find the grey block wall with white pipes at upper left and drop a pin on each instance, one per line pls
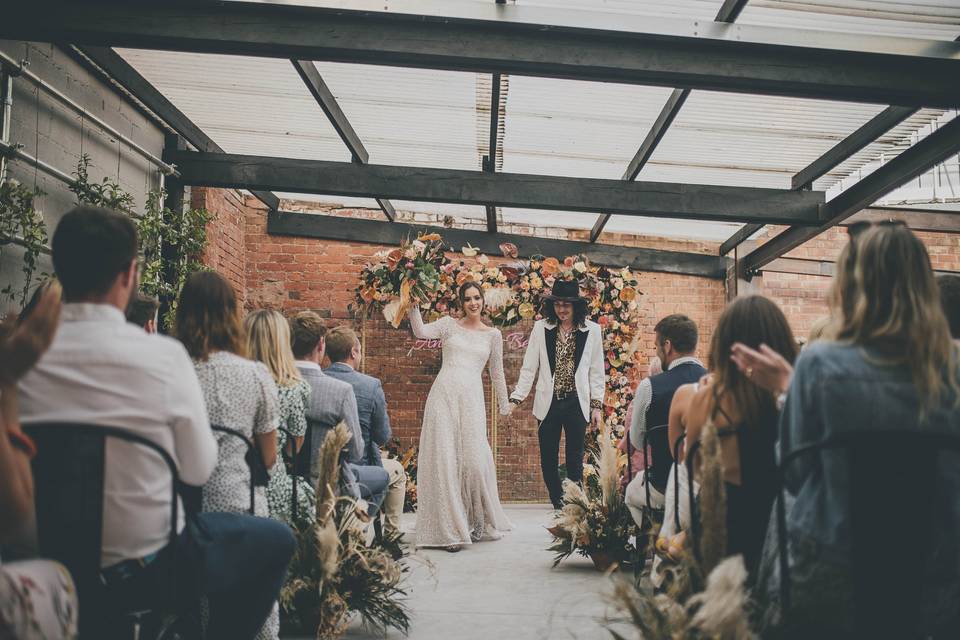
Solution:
(58, 135)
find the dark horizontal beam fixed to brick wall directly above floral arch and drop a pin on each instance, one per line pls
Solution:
(391, 234)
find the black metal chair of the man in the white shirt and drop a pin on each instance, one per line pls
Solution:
(68, 474)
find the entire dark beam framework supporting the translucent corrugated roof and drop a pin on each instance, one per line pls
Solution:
(500, 39)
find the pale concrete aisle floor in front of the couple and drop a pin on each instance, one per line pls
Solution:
(504, 589)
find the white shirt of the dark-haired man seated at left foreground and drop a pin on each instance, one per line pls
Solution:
(102, 370)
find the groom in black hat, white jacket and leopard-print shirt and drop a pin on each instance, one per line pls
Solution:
(567, 350)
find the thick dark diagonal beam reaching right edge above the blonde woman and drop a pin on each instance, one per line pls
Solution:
(912, 162)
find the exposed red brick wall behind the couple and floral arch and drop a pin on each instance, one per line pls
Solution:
(292, 274)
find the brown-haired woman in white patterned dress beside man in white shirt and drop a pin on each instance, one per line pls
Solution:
(239, 394)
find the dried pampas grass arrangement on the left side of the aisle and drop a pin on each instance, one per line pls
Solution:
(333, 573)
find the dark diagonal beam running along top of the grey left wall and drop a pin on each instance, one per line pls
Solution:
(141, 89)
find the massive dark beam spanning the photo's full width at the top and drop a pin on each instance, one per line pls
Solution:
(487, 38)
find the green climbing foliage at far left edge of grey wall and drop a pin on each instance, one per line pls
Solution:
(20, 222)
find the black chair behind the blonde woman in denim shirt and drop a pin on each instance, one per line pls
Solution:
(893, 480)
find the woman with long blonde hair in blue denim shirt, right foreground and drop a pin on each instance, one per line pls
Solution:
(891, 366)
